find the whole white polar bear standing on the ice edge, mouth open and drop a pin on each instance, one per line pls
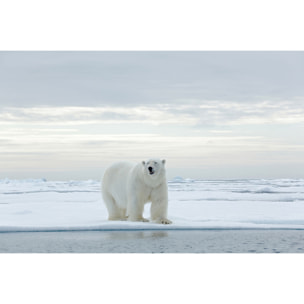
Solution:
(127, 187)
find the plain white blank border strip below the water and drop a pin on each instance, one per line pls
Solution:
(140, 278)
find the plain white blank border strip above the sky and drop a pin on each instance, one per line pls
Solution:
(151, 25)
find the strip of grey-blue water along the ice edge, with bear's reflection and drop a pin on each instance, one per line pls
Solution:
(206, 241)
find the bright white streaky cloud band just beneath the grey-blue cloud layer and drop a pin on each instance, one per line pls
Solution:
(198, 114)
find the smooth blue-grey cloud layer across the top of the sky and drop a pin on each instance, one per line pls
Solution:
(145, 78)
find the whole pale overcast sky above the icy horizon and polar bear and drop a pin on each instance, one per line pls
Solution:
(210, 114)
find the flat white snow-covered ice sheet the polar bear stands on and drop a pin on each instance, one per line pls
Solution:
(40, 205)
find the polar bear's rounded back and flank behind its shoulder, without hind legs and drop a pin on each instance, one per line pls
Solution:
(114, 182)
